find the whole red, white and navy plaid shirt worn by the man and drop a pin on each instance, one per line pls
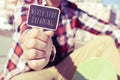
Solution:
(71, 18)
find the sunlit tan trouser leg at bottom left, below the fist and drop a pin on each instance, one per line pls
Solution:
(44, 74)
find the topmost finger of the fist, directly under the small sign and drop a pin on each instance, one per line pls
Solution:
(36, 33)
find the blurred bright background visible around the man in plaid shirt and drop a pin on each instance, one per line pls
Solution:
(107, 10)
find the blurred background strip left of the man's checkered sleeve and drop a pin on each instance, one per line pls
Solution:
(6, 28)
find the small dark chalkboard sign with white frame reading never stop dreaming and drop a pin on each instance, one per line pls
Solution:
(45, 17)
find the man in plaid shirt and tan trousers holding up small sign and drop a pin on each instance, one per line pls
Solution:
(33, 47)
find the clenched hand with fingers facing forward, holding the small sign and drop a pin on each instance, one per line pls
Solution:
(37, 46)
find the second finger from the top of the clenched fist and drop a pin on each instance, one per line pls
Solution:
(34, 44)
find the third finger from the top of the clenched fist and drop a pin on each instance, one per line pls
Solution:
(33, 54)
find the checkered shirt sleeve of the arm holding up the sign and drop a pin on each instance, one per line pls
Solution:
(15, 64)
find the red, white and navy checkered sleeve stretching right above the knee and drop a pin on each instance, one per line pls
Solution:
(96, 26)
